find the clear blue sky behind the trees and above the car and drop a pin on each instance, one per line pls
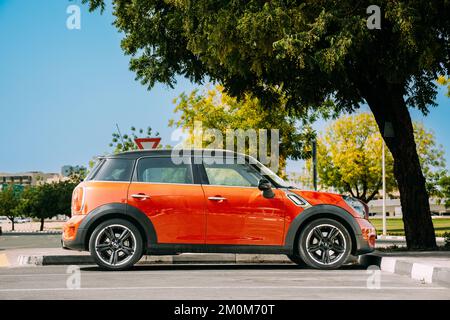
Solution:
(63, 91)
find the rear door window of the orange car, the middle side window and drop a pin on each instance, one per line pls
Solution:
(163, 170)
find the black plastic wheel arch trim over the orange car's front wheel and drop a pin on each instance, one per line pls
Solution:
(318, 212)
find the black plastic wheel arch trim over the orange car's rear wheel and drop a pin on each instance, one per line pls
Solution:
(121, 211)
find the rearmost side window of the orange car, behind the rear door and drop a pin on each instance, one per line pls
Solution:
(115, 170)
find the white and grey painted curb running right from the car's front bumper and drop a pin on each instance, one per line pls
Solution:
(415, 270)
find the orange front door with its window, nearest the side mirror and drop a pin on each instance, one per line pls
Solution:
(237, 212)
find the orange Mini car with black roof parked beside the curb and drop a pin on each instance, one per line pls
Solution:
(149, 203)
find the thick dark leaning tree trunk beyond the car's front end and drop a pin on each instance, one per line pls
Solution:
(394, 122)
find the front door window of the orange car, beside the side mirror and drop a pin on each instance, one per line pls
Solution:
(239, 175)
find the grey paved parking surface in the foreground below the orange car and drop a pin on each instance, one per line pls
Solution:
(211, 282)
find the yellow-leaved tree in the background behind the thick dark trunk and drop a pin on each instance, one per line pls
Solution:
(349, 157)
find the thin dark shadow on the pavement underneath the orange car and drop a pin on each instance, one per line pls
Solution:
(178, 267)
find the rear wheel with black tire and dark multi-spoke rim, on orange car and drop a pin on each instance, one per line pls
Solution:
(119, 237)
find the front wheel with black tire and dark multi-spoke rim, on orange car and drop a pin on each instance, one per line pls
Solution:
(324, 244)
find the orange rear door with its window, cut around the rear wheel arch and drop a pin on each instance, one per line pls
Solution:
(166, 193)
